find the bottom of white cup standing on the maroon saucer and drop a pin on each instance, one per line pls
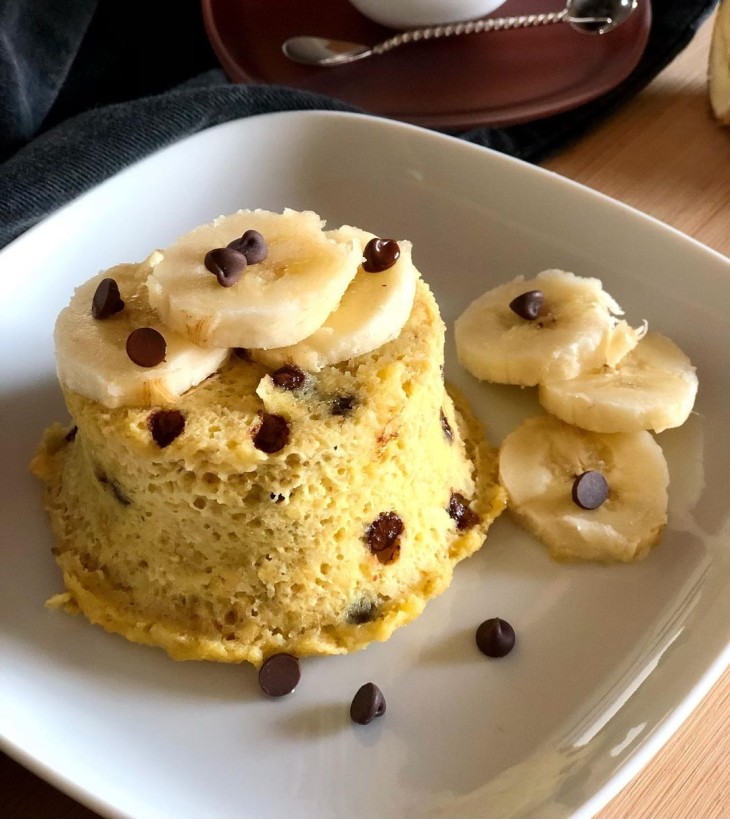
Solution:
(417, 13)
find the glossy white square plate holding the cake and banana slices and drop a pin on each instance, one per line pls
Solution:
(609, 659)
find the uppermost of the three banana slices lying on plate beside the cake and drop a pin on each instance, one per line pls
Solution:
(575, 331)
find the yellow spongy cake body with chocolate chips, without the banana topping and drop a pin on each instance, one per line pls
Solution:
(213, 549)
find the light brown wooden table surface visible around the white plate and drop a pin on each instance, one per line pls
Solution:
(664, 154)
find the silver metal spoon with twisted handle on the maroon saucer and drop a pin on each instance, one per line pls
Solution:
(587, 16)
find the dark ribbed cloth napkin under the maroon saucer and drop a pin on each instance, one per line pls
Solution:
(90, 86)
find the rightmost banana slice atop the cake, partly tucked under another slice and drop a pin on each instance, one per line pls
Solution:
(372, 312)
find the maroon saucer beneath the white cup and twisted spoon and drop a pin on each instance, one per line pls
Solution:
(495, 78)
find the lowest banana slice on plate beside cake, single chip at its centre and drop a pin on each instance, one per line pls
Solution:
(539, 464)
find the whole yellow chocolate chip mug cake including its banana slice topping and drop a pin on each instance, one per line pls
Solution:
(263, 456)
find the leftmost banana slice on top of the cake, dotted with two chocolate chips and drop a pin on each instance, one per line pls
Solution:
(91, 353)
